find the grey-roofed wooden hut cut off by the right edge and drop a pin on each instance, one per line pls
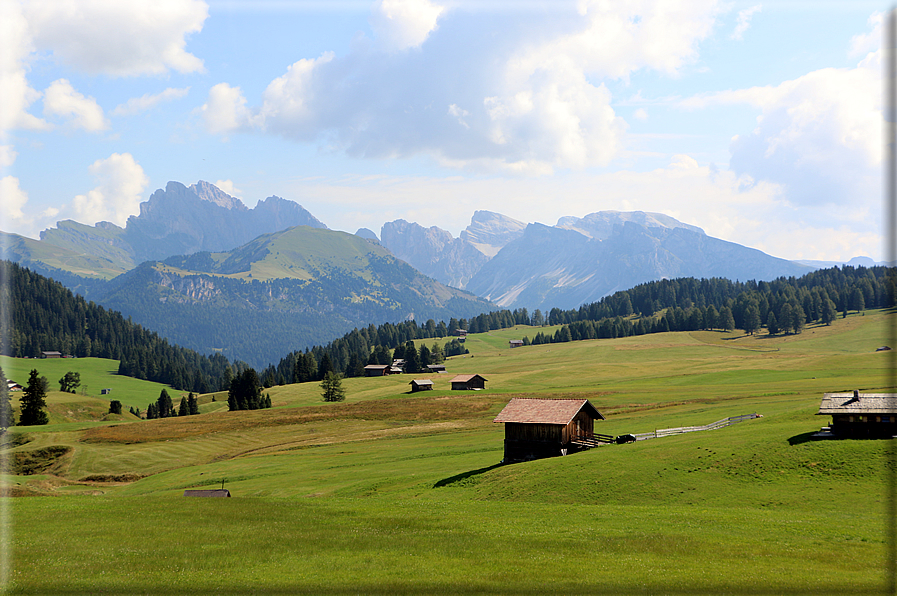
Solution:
(861, 415)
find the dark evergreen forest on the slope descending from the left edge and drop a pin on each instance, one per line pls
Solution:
(39, 314)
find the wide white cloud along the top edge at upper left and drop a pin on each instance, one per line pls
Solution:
(137, 37)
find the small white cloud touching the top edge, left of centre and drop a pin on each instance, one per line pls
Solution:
(404, 24)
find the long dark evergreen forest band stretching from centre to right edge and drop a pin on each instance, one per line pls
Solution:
(785, 305)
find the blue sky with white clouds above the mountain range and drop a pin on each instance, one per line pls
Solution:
(759, 122)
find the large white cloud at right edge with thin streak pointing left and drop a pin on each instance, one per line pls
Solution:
(818, 135)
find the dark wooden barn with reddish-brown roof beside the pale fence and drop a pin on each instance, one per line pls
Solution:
(536, 428)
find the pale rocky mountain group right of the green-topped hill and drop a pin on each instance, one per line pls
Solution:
(576, 261)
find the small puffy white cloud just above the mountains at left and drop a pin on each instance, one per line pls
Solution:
(120, 186)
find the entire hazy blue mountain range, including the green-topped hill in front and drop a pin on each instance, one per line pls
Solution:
(207, 272)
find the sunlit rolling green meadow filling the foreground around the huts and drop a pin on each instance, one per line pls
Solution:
(391, 492)
